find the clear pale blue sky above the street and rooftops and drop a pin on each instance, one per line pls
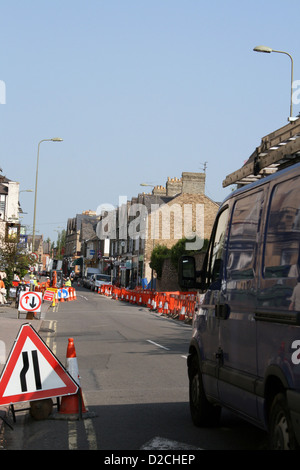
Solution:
(139, 90)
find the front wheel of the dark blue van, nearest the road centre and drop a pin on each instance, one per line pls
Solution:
(202, 412)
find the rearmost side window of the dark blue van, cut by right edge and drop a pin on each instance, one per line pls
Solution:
(281, 251)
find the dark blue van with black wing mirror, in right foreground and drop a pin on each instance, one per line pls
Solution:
(244, 351)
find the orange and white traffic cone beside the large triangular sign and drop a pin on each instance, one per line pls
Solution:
(72, 404)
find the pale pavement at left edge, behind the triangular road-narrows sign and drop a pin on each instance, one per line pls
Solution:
(10, 325)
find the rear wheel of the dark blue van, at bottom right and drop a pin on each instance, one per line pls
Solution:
(281, 433)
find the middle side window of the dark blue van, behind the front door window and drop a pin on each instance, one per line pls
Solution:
(242, 244)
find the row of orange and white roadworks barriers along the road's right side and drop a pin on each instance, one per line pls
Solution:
(174, 304)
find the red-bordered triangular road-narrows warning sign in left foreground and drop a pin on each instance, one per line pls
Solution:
(32, 372)
